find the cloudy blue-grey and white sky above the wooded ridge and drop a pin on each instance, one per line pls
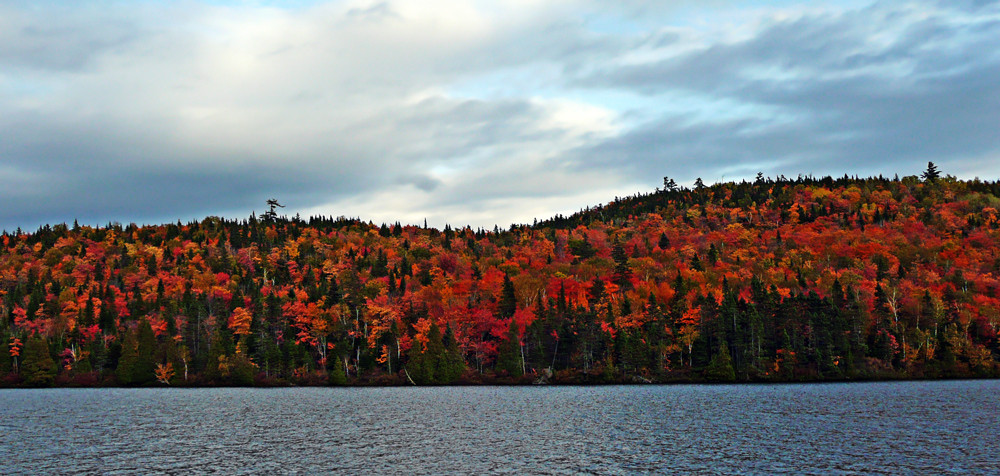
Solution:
(473, 112)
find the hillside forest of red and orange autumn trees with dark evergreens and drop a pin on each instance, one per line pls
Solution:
(770, 280)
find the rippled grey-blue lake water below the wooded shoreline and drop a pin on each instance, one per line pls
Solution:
(887, 427)
